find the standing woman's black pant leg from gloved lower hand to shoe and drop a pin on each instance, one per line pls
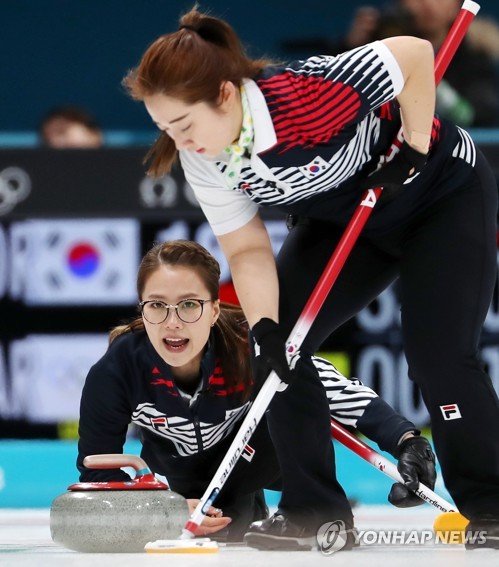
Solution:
(299, 424)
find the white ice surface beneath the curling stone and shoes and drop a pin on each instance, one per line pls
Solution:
(25, 542)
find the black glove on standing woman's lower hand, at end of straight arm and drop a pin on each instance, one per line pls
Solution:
(272, 352)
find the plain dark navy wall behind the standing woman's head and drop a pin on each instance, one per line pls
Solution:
(78, 50)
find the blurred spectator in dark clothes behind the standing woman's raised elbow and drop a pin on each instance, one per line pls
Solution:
(469, 92)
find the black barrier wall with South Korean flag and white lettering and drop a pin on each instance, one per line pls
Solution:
(73, 227)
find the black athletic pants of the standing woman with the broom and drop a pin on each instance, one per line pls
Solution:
(445, 259)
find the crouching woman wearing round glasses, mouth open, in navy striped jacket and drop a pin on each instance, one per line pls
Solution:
(181, 373)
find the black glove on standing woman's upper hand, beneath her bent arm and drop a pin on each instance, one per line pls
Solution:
(392, 176)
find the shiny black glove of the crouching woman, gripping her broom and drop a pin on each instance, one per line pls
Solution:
(416, 464)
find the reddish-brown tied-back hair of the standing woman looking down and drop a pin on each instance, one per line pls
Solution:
(191, 65)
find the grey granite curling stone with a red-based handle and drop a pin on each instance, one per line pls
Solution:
(117, 517)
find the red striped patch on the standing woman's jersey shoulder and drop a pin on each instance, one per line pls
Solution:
(308, 110)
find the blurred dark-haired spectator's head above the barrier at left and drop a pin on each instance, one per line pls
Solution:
(70, 127)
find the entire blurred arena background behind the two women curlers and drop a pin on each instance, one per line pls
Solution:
(77, 211)
